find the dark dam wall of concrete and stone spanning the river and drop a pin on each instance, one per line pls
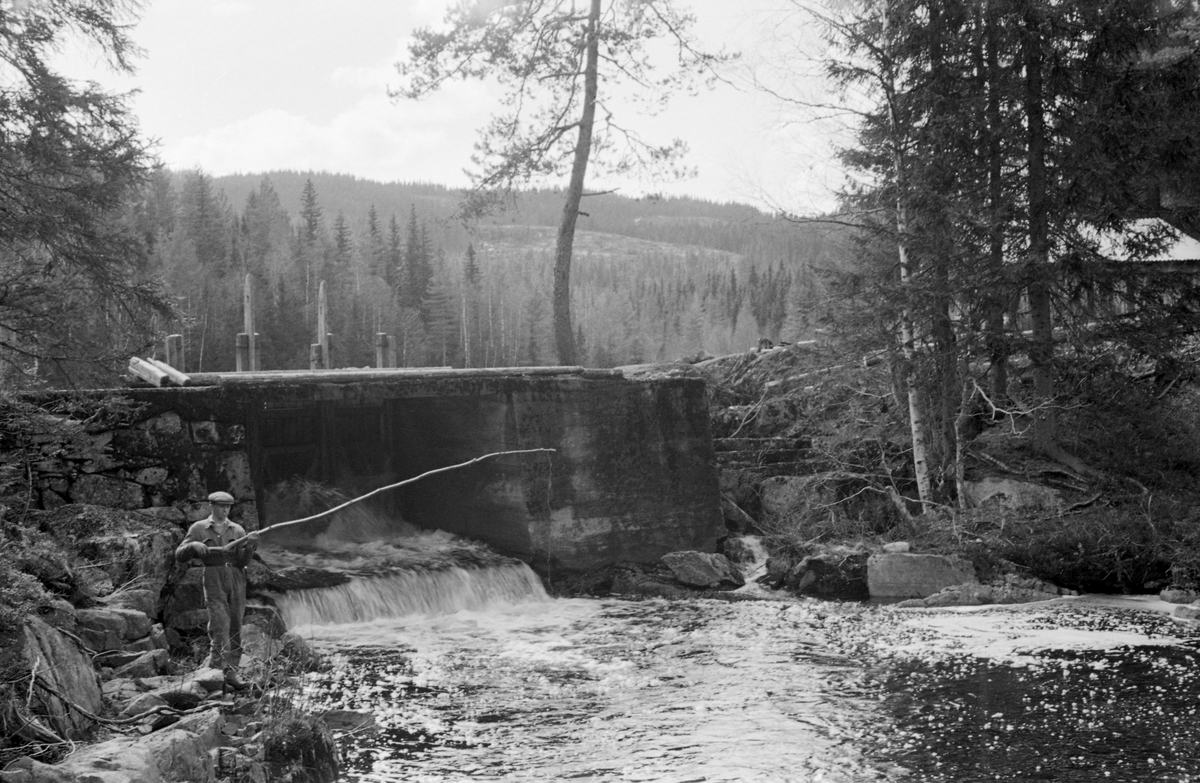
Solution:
(632, 476)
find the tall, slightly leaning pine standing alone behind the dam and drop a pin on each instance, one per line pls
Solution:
(561, 64)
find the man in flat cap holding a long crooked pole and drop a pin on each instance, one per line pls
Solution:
(225, 581)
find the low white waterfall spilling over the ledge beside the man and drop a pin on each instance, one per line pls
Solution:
(412, 593)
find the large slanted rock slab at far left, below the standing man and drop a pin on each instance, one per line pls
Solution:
(59, 664)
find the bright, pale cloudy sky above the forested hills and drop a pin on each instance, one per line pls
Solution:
(249, 86)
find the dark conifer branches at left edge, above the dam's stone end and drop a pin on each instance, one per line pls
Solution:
(75, 290)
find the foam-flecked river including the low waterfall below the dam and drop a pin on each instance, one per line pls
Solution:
(478, 676)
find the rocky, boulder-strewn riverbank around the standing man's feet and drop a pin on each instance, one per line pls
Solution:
(105, 677)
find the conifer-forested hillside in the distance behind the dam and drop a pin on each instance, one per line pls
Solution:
(655, 279)
